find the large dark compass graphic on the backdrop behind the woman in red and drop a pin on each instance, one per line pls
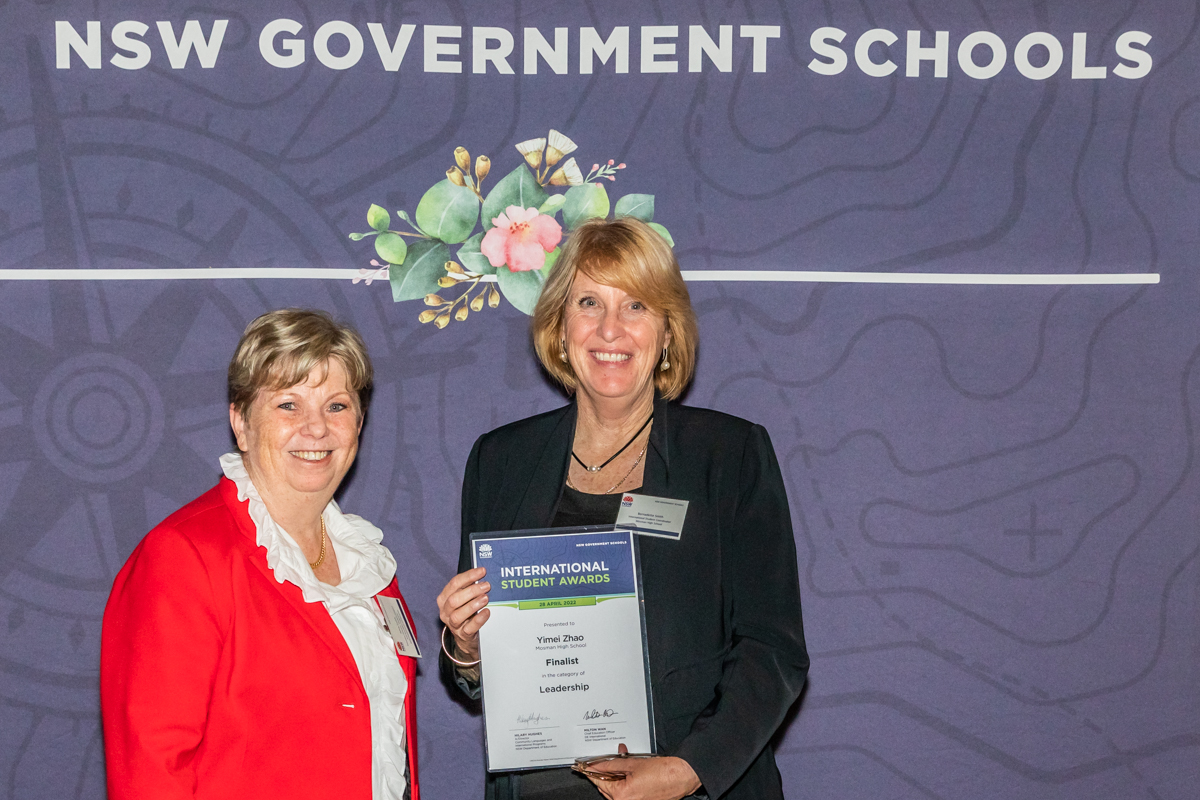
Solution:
(115, 408)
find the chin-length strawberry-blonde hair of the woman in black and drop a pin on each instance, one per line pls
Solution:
(629, 255)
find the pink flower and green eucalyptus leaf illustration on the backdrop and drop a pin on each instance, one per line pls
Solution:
(520, 239)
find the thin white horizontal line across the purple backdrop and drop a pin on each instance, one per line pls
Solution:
(796, 276)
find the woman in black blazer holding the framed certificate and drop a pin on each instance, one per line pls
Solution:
(723, 607)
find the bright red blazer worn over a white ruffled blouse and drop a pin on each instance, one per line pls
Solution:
(219, 682)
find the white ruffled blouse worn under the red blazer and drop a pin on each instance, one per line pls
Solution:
(368, 568)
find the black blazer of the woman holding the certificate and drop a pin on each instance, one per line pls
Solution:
(723, 604)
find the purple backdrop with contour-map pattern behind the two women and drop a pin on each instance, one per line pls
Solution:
(993, 488)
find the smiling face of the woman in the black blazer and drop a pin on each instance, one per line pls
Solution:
(614, 341)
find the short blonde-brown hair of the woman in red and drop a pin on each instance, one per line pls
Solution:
(280, 348)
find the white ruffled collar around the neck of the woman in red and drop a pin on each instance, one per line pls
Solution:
(367, 566)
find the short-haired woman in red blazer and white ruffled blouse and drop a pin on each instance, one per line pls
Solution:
(245, 648)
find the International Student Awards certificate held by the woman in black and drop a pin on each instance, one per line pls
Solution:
(565, 664)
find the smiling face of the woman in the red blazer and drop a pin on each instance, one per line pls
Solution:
(301, 441)
